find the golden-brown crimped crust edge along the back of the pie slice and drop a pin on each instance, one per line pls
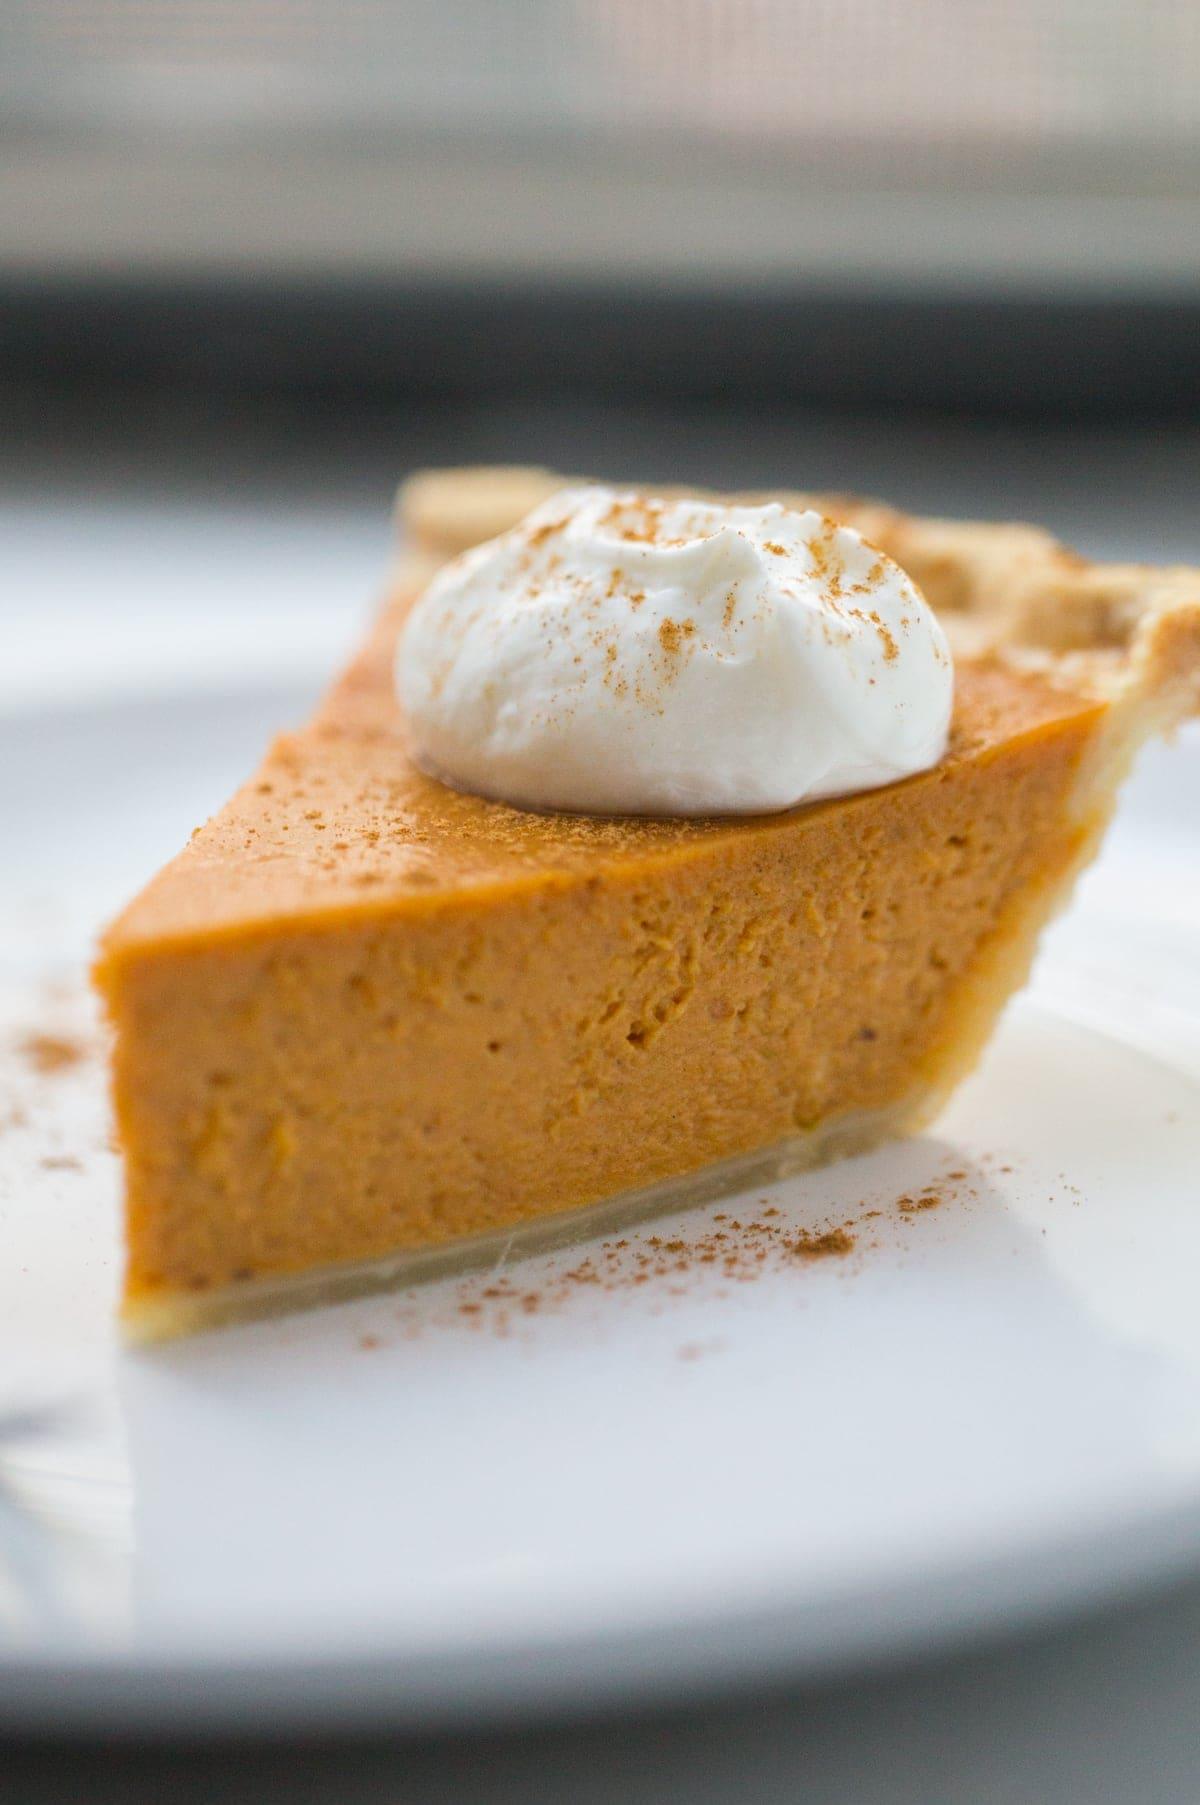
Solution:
(1127, 633)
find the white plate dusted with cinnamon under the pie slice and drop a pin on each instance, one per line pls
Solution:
(409, 1512)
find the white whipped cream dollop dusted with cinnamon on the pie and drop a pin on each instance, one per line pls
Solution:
(618, 654)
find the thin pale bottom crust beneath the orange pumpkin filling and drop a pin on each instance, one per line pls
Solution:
(163, 1319)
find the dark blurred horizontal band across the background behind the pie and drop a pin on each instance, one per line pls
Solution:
(1038, 358)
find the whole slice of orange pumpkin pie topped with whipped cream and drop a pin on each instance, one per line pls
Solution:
(371, 1017)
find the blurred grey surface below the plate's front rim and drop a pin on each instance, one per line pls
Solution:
(1102, 1714)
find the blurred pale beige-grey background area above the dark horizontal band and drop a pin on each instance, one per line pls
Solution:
(705, 140)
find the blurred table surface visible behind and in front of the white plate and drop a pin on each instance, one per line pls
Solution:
(140, 546)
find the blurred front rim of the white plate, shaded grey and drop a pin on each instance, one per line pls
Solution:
(542, 1680)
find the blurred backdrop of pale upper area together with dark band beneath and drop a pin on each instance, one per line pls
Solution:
(941, 203)
